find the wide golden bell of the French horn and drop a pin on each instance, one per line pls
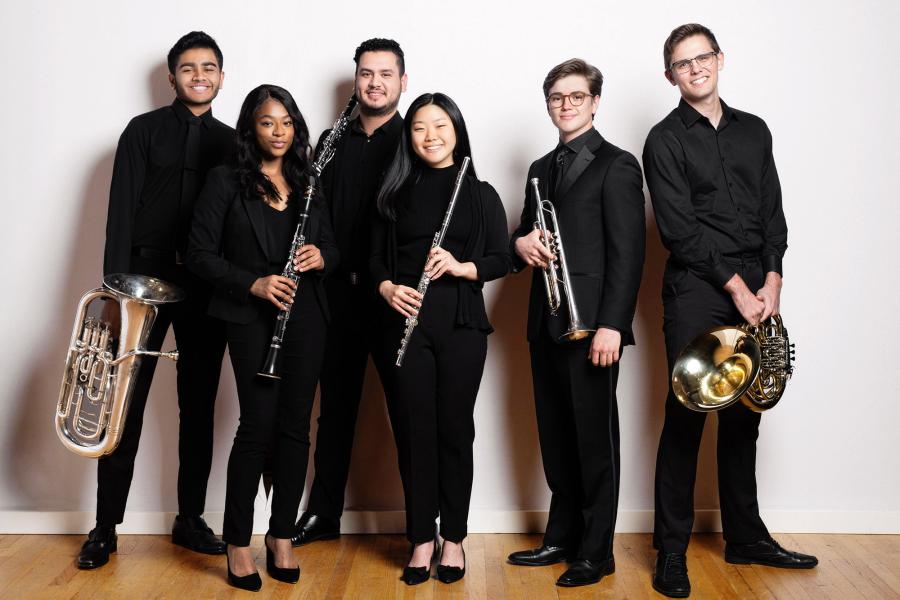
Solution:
(716, 369)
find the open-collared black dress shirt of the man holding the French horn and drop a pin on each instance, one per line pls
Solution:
(715, 191)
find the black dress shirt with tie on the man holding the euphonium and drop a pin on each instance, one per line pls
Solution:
(160, 167)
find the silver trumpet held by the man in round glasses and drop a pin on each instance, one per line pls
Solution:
(557, 280)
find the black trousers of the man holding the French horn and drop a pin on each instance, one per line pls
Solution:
(691, 306)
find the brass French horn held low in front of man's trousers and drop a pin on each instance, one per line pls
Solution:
(726, 364)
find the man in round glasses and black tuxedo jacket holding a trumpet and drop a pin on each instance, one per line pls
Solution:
(596, 189)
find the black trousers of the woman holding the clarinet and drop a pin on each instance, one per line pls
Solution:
(274, 415)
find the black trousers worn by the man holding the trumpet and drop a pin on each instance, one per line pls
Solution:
(578, 429)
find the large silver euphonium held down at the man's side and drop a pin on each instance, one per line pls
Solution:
(103, 363)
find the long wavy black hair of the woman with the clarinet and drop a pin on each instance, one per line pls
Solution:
(248, 158)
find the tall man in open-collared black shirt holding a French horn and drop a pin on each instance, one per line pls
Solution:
(717, 201)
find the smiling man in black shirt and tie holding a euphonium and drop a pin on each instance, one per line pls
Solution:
(160, 166)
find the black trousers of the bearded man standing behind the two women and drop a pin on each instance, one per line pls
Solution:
(350, 339)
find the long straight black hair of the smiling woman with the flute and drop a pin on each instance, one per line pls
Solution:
(406, 167)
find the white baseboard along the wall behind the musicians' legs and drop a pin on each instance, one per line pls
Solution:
(480, 521)
